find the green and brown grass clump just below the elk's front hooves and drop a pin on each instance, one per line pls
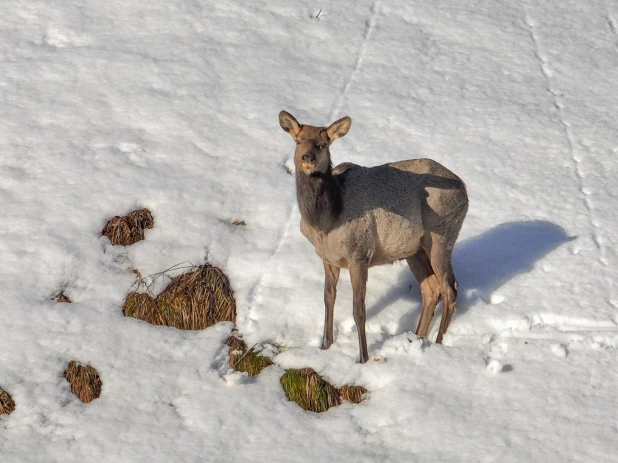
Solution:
(312, 392)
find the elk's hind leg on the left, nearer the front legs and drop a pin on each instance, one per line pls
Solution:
(430, 289)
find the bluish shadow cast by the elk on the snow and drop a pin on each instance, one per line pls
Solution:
(482, 264)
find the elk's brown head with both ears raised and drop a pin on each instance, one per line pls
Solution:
(312, 156)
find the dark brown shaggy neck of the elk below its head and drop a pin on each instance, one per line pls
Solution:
(319, 199)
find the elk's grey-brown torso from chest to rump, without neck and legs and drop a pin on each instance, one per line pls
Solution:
(388, 209)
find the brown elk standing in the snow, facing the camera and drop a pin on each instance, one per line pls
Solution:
(357, 217)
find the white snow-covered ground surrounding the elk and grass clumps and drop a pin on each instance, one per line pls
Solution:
(173, 105)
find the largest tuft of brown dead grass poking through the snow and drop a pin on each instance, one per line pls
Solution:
(194, 300)
